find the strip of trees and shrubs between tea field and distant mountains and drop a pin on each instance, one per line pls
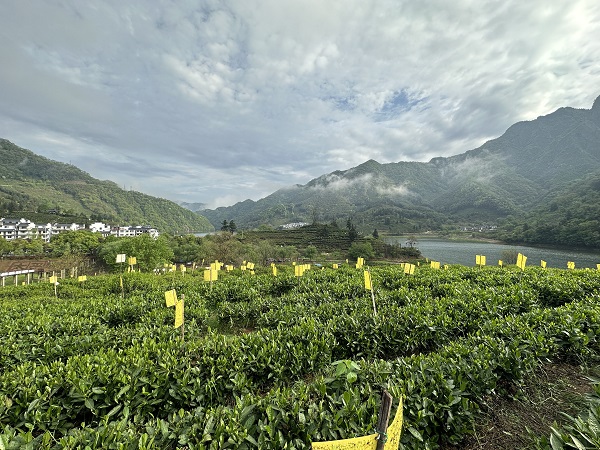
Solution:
(309, 243)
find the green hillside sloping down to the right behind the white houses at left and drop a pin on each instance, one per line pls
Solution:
(31, 185)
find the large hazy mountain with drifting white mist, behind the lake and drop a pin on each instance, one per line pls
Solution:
(524, 169)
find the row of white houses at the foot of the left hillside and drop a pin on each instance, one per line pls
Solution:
(25, 229)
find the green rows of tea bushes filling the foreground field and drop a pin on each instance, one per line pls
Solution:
(278, 362)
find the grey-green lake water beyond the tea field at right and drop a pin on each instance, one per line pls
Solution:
(454, 252)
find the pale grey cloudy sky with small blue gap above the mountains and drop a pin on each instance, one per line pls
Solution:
(220, 101)
